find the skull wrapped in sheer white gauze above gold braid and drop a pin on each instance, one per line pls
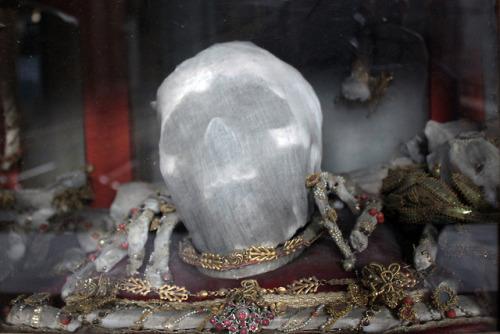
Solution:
(240, 132)
